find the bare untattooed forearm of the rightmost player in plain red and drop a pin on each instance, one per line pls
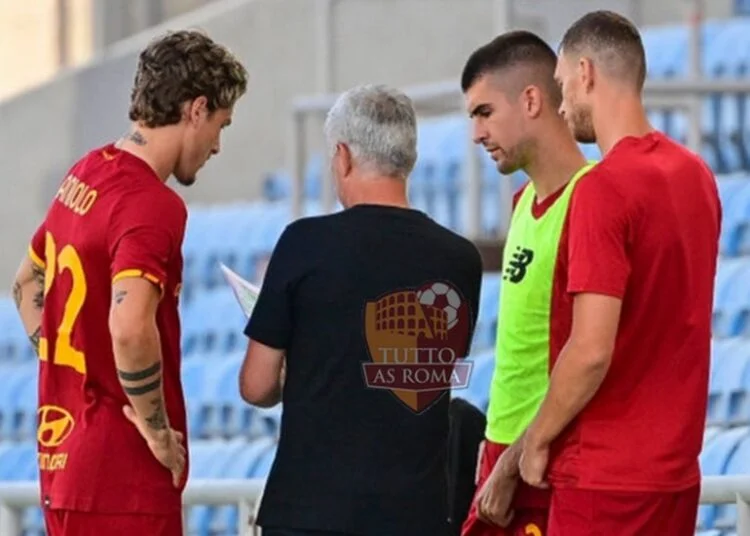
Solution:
(575, 379)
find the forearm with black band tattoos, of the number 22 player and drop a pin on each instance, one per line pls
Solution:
(139, 363)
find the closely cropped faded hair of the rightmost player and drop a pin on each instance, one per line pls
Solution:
(614, 39)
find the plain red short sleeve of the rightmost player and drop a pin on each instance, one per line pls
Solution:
(598, 238)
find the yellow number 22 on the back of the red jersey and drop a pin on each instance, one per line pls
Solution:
(57, 263)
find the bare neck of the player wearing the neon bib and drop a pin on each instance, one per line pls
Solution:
(552, 167)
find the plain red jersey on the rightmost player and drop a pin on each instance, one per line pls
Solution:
(643, 226)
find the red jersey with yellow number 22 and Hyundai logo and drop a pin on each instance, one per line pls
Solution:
(112, 217)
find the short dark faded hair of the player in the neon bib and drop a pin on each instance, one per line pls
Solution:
(519, 48)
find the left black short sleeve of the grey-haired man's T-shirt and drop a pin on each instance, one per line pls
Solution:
(271, 319)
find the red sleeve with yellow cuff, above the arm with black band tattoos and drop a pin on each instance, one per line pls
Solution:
(145, 232)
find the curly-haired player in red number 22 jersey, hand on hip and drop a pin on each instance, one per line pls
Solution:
(98, 292)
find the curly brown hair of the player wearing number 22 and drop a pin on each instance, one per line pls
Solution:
(182, 66)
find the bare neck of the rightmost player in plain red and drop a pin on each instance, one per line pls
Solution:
(623, 116)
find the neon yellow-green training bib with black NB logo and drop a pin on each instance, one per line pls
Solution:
(521, 375)
